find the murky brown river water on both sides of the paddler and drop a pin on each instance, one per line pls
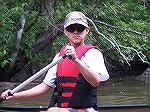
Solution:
(118, 90)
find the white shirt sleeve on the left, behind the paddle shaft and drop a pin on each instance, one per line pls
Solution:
(51, 74)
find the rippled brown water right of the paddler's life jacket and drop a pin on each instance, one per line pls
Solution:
(124, 90)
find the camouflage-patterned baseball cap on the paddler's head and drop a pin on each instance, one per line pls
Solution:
(75, 17)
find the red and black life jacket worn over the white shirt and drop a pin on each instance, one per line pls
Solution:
(73, 90)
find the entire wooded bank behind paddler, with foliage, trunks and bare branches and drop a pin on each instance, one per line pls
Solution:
(32, 33)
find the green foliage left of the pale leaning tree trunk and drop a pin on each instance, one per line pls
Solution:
(9, 18)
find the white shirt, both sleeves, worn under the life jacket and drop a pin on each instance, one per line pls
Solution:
(93, 59)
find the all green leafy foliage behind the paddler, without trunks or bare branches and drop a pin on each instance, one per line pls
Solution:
(118, 20)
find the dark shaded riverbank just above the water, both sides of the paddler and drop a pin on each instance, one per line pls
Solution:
(114, 68)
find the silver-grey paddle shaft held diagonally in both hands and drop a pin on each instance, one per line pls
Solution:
(36, 75)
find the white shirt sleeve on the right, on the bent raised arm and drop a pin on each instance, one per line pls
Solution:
(93, 59)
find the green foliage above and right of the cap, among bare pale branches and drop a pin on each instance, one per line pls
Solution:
(129, 19)
